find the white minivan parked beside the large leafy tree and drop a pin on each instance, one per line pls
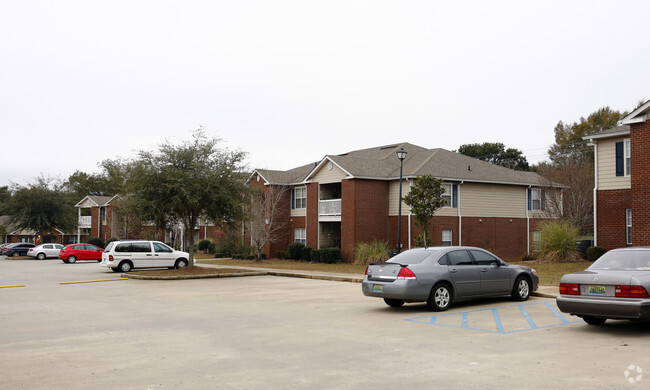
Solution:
(123, 256)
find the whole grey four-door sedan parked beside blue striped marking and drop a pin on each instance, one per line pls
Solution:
(441, 275)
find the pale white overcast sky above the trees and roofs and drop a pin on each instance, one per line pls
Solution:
(292, 81)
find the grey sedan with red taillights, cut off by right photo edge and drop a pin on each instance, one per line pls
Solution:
(615, 286)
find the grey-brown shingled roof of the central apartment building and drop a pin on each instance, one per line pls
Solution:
(381, 163)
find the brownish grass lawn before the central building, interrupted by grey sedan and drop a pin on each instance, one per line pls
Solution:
(549, 273)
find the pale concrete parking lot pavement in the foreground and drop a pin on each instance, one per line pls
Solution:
(268, 332)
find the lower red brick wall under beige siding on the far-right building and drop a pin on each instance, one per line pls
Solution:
(611, 207)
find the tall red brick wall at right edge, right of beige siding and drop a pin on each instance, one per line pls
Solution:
(640, 197)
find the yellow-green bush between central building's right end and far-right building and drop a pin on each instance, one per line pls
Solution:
(558, 242)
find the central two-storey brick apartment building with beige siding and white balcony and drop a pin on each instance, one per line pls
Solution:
(345, 199)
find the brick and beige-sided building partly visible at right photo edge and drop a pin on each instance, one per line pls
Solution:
(622, 185)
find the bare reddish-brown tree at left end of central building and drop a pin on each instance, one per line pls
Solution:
(268, 216)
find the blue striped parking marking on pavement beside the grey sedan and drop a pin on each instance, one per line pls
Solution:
(503, 320)
